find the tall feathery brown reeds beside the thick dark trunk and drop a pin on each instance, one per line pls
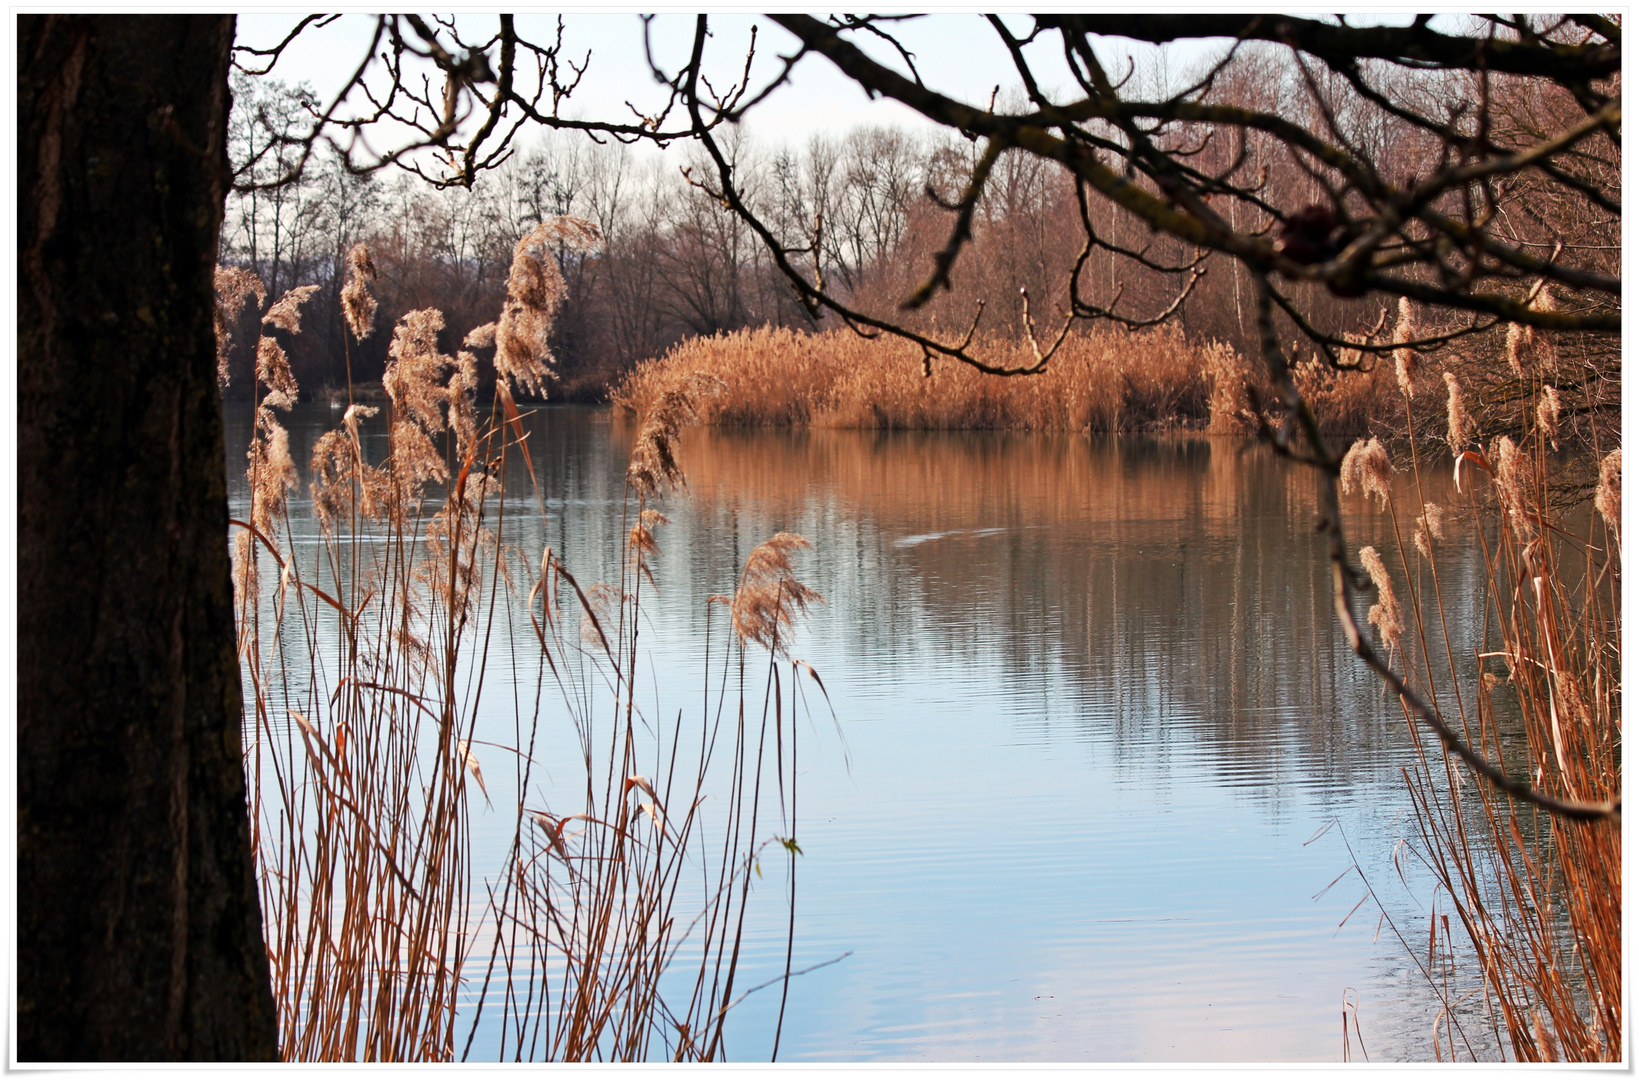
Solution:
(614, 925)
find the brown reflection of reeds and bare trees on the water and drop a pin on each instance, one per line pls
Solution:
(1171, 588)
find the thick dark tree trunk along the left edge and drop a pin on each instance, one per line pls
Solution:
(138, 925)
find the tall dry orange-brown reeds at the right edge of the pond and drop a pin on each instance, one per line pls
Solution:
(1525, 930)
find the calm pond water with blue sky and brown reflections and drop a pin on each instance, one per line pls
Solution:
(1091, 706)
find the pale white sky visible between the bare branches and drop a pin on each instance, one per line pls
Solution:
(958, 55)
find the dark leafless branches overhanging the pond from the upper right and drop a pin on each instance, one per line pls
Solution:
(1433, 163)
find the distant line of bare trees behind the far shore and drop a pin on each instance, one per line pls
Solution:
(678, 266)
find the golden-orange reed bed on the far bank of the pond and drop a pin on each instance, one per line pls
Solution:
(1101, 381)
